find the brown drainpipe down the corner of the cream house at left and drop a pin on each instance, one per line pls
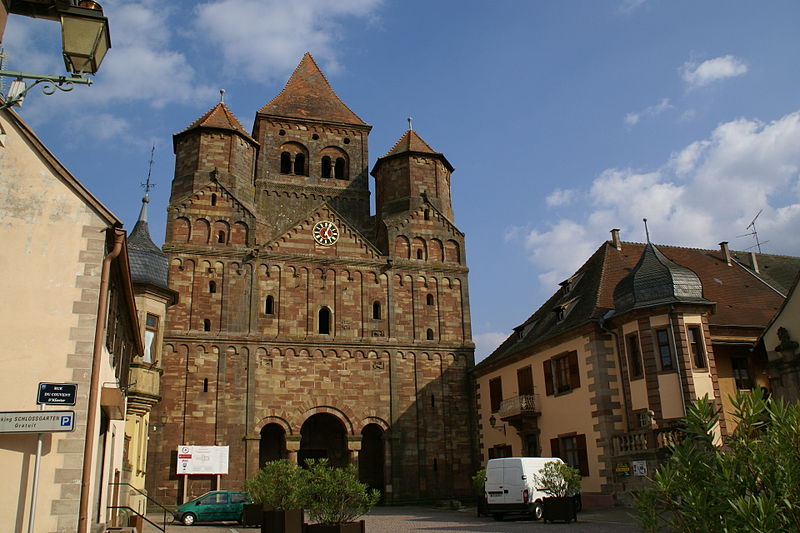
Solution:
(97, 353)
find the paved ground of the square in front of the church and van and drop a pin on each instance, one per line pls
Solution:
(429, 520)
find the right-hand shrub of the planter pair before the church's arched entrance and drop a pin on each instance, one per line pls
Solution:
(335, 498)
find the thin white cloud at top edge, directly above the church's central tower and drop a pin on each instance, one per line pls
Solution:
(264, 39)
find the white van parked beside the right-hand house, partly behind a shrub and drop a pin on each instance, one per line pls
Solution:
(511, 488)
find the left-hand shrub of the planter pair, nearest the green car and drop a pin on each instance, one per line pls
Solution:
(277, 491)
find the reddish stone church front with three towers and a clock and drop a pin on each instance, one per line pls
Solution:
(307, 327)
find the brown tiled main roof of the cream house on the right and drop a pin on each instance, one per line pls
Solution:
(742, 297)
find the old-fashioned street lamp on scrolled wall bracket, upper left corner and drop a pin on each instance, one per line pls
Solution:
(85, 41)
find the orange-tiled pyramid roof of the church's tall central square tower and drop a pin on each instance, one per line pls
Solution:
(308, 95)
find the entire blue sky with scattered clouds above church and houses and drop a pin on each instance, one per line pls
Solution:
(563, 118)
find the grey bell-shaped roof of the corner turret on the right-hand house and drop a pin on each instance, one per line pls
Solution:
(656, 280)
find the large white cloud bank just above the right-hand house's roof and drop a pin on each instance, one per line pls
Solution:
(705, 193)
